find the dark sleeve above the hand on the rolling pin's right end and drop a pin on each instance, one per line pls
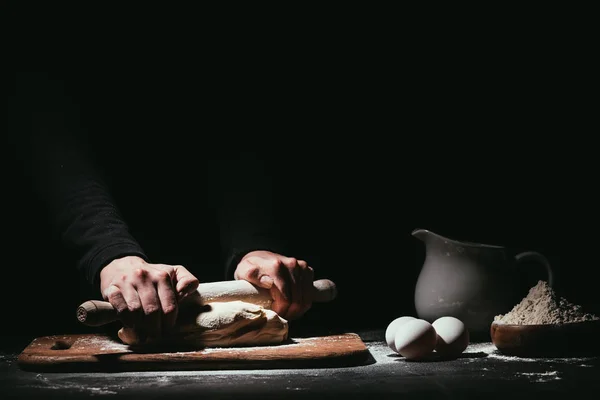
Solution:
(245, 195)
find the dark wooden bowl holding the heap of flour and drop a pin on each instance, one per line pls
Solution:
(580, 339)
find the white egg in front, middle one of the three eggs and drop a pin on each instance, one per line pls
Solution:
(415, 339)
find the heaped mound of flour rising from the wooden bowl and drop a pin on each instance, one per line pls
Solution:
(543, 306)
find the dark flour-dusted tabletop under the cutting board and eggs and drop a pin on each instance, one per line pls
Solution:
(480, 373)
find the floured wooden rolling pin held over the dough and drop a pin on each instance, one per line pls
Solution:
(97, 312)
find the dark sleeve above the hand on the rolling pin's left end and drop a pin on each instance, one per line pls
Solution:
(52, 148)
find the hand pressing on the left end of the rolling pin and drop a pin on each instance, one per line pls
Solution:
(146, 296)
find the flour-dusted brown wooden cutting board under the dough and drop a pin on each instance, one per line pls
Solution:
(100, 352)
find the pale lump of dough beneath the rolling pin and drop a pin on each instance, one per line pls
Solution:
(224, 324)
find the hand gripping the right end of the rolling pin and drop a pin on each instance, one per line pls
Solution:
(289, 280)
